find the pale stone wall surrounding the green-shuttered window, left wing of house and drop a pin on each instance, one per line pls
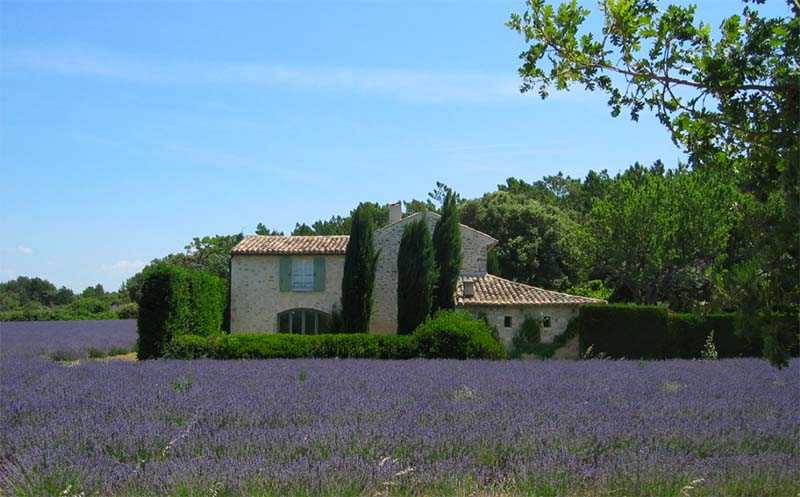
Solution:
(256, 298)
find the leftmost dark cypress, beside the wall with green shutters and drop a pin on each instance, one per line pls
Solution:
(358, 280)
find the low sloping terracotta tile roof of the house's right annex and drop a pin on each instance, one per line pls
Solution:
(493, 290)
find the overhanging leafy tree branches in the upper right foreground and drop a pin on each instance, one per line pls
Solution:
(730, 99)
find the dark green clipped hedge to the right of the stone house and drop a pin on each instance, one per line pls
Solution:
(651, 332)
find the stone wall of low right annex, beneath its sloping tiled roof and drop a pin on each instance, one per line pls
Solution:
(560, 316)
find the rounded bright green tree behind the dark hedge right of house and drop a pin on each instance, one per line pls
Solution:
(656, 237)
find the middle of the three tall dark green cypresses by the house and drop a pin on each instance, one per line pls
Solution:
(415, 276)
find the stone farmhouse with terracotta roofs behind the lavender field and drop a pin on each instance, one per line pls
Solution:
(293, 283)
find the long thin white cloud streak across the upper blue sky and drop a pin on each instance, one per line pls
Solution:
(391, 82)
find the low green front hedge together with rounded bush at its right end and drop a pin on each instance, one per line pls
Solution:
(449, 334)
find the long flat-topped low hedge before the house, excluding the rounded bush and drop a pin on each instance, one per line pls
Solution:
(289, 346)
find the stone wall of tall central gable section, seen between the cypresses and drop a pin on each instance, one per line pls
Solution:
(474, 250)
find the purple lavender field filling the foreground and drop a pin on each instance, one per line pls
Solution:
(358, 427)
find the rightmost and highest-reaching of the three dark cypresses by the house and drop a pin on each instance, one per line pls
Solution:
(447, 252)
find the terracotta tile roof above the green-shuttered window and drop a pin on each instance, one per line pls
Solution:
(286, 245)
